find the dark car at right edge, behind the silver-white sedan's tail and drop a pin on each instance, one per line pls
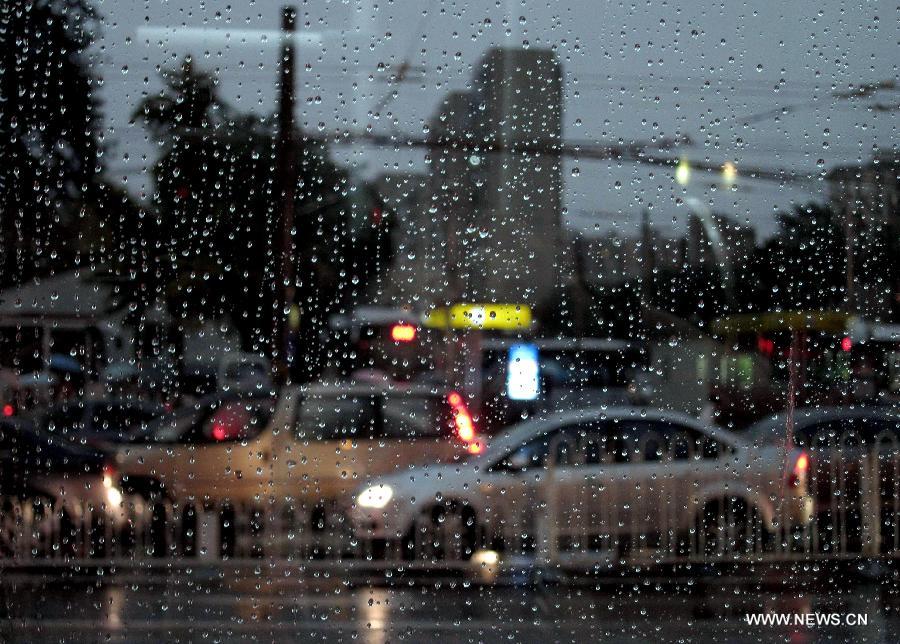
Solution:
(852, 469)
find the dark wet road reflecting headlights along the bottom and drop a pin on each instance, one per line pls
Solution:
(267, 606)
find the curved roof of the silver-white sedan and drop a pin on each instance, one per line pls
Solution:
(532, 428)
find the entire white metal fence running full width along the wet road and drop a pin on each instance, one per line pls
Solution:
(588, 518)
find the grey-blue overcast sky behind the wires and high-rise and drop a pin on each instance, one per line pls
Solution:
(633, 71)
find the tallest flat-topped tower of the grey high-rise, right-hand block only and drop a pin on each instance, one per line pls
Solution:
(517, 109)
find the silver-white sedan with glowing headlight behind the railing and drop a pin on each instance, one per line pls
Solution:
(614, 479)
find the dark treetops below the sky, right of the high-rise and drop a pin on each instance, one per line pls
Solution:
(803, 266)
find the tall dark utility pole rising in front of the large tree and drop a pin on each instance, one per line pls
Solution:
(287, 186)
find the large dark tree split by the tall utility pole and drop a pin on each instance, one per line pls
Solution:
(214, 244)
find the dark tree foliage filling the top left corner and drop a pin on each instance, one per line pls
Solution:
(49, 122)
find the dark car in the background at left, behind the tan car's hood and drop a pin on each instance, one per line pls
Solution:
(98, 421)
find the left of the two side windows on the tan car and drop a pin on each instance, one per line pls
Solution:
(338, 417)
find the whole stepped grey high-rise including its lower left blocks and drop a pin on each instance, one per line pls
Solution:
(488, 219)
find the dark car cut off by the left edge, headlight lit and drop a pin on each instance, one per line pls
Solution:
(53, 494)
